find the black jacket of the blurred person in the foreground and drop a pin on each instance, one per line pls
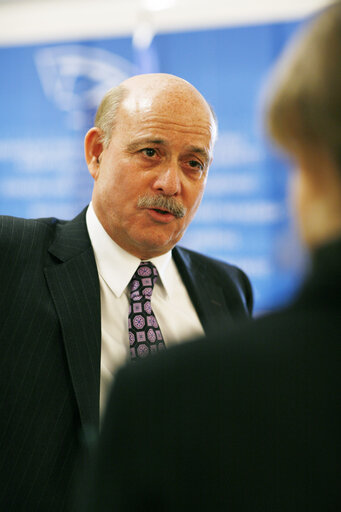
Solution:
(249, 421)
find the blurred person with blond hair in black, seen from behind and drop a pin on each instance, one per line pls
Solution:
(249, 421)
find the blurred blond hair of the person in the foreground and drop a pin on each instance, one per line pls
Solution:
(305, 103)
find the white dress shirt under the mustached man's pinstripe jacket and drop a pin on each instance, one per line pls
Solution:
(171, 303)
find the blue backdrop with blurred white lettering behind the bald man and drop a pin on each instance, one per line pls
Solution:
(48, 96)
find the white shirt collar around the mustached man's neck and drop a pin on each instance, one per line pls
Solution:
(115, 265)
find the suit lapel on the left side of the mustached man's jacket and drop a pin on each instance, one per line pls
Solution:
(74, 287)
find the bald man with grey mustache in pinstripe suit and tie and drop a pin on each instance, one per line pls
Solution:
(76, 296)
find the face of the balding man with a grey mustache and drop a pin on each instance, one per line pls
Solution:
(159, 148)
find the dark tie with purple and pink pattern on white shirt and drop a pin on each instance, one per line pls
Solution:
(145, 336)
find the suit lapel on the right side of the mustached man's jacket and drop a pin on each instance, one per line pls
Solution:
(206, 294)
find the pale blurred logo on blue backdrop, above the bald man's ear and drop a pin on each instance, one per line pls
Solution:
(76, 77)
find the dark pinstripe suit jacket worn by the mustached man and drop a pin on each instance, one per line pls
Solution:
(50, 334)
